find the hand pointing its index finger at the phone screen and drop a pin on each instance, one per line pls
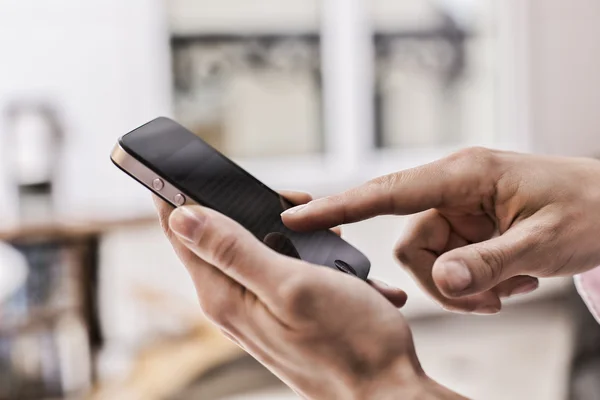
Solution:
(487, 224)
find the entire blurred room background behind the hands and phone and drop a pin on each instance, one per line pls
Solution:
(308, 95)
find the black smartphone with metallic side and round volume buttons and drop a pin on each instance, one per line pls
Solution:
(182, 169)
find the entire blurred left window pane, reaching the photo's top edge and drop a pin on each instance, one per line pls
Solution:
(245, 82)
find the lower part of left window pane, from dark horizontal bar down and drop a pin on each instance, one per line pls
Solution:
(250, 97)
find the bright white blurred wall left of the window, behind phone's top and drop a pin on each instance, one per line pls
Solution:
(106, 64)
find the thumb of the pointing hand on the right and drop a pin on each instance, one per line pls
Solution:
(480, 266)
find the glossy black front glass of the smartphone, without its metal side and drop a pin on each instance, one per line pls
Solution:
(214, 181)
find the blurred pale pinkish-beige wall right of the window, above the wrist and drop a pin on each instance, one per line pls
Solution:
(564, 43)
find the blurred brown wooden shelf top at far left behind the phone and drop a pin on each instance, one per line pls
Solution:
(70, 229)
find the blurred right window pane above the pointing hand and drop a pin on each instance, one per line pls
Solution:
(434, 73)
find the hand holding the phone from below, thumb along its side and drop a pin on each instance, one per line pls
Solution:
(324, 333)
